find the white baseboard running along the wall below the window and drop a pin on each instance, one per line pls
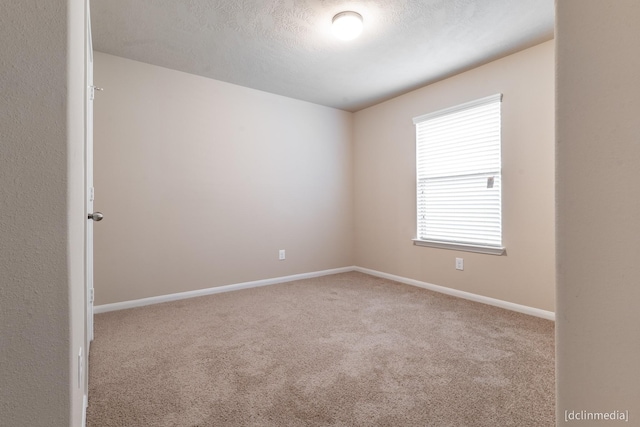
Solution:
(549, 315)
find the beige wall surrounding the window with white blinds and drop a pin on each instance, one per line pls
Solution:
(384, 153)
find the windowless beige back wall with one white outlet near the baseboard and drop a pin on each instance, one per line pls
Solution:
(202, 182)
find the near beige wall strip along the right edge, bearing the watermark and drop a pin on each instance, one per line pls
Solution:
(598, 210)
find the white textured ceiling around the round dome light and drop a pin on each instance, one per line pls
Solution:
(286, 46)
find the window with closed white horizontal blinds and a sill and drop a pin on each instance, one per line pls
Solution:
(458, 169)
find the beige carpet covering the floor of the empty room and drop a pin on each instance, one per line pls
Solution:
(343, 350)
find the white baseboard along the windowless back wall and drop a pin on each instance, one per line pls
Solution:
(104, 308)
